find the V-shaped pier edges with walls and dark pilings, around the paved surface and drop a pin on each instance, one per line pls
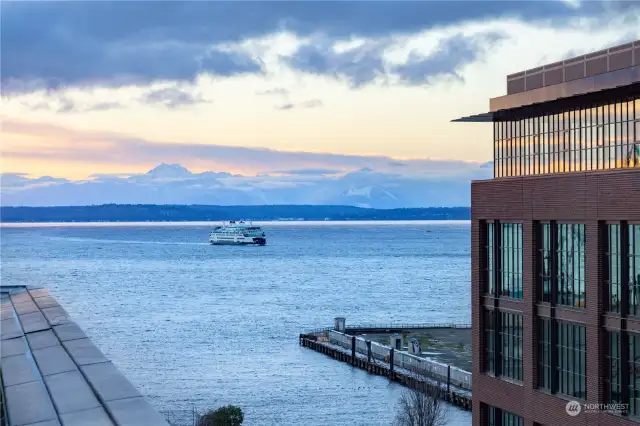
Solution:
(411, 370)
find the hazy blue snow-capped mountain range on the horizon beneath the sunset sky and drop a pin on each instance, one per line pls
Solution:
(176, 185)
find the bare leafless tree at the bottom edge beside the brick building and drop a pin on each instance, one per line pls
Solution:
(421, 408)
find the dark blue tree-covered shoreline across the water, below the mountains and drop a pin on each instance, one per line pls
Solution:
(189, 213)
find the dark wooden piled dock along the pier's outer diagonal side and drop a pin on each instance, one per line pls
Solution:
(458, 398)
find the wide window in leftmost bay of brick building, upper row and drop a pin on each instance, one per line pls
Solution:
(511, 260)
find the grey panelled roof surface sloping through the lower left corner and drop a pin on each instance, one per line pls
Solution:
(52, 374)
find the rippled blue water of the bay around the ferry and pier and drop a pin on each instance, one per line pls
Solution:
(194, 325)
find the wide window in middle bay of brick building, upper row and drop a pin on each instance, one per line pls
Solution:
(571, 264)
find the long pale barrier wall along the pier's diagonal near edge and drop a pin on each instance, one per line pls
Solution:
(425, 367)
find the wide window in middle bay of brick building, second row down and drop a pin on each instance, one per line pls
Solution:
(571, 368)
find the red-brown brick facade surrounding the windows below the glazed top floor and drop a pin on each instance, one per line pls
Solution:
(585, 197)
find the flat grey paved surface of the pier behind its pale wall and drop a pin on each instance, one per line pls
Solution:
(446, 345)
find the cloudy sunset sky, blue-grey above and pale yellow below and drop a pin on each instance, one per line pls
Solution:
(266, 88)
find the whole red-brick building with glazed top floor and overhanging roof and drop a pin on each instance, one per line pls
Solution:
(556, 247)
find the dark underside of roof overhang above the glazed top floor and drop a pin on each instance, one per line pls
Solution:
(615, 94)
